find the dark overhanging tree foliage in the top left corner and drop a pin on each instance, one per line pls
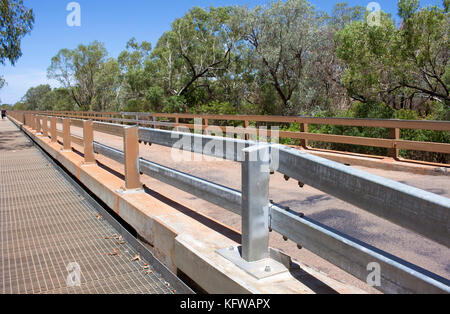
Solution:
(15, 22)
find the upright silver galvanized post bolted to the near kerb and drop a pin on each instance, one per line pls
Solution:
(255, 203)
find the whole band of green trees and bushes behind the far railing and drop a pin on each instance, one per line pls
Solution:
(282, 58)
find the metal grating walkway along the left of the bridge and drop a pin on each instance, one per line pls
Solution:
(45, 225)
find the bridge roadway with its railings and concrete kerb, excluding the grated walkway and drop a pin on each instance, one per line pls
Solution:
(343, 221)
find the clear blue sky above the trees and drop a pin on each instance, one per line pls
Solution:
(112, 22)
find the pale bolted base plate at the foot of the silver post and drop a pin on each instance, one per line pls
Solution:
(260, 269)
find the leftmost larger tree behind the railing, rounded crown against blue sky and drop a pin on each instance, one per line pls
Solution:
(77, 70)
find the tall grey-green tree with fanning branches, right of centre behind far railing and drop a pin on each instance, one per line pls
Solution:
(284, 37)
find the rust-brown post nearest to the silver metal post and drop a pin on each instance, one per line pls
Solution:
(131, 150)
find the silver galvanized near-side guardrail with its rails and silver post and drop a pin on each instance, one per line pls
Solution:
(415, 209)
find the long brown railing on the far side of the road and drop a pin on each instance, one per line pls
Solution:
(166, 120)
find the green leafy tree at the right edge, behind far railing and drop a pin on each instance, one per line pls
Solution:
(424, 50)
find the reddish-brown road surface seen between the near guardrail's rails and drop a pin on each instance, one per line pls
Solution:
(313, 203)
